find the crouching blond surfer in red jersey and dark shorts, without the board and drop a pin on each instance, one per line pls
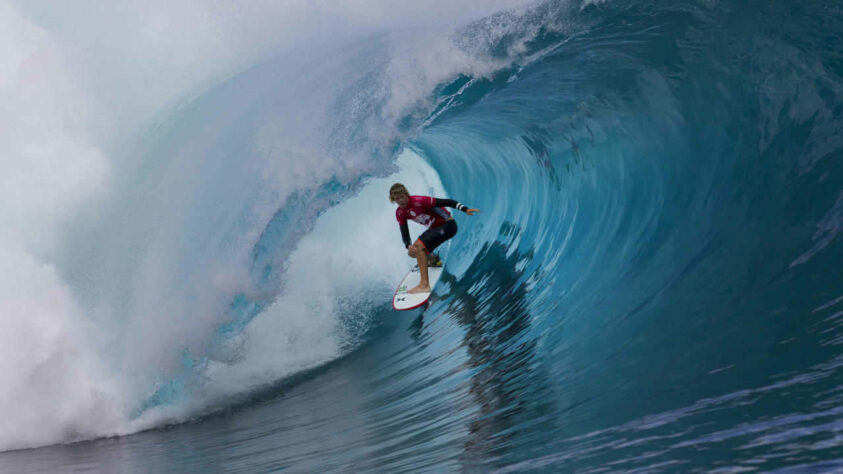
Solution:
(430, 212)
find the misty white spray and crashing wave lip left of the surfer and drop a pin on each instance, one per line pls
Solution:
(157, 192)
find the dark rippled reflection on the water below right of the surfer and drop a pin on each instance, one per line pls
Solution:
(506, 382)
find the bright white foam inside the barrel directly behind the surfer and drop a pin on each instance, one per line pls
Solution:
(331, 272)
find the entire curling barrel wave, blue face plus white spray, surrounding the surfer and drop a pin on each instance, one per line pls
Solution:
(656, 252)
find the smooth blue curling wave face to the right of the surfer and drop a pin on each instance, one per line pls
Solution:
(658, 259)
